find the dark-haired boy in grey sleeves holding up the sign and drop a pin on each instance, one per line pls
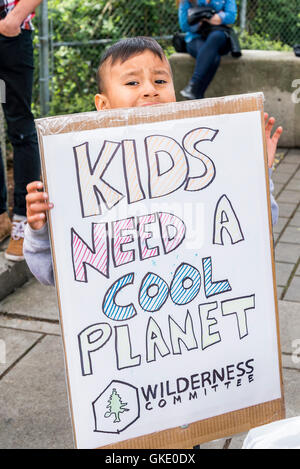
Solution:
(133, 72)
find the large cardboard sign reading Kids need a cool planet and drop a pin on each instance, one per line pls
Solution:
(163, 256)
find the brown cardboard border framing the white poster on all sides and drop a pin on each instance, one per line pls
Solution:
(215, 427)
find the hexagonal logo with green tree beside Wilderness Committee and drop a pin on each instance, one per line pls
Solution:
(116, 408)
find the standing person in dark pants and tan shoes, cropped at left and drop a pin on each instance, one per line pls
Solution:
(16, 71)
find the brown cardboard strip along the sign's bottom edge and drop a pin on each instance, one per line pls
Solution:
(207, 430)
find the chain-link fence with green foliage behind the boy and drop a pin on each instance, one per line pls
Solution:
(79, 31)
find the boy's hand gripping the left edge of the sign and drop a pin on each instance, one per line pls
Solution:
(37, 205)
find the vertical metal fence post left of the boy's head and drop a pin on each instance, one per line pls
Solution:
(44, 57)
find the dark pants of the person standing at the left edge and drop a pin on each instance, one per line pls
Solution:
(16, 70)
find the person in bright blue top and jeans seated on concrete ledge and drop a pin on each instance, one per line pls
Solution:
(206, 47)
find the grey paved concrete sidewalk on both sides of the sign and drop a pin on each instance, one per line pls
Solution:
(33, 400)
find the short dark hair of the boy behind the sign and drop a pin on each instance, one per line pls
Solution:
(126, 48)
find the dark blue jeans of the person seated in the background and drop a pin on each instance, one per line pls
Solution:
(208, 55)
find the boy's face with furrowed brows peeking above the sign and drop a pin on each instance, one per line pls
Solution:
(142, 80)
